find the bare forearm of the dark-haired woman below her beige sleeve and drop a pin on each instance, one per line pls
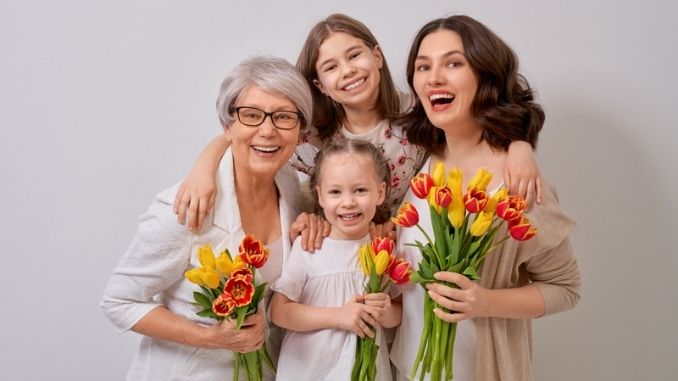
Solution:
(524, 302)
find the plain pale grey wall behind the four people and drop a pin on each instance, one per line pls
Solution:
(103, 104)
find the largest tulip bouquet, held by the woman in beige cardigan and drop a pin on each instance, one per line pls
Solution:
(464, 229)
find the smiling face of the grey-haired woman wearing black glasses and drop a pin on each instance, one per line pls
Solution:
(263, 150)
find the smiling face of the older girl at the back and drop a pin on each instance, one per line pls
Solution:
(348, 71)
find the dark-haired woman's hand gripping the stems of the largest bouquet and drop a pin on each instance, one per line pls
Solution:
(467, 301)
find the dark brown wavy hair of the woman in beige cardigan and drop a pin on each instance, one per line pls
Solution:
(503, 106)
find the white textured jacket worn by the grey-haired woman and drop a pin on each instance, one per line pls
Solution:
(151, 273)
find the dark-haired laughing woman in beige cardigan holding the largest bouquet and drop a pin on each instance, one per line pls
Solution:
(470, 103)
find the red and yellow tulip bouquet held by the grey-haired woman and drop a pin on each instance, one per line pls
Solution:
(228, 290)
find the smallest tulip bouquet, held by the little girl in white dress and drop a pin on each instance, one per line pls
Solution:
(376, 260)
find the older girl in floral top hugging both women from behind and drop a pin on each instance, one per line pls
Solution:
(354, 98)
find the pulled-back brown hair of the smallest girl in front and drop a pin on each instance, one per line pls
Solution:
(355, 147)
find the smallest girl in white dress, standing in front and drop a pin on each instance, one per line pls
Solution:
(318, 297)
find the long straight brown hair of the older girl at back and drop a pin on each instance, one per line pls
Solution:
(328, 115)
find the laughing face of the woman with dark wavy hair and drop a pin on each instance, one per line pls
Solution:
(444, 81)
